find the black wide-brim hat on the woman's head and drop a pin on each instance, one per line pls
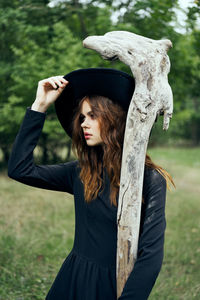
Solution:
(116, 85)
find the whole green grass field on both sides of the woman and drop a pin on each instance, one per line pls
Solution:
(37, 230)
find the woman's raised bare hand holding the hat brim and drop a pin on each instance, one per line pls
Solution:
(48, 91)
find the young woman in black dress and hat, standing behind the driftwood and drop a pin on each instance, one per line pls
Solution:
(91, 105)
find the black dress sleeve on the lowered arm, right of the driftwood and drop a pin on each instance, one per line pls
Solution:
(151, 242)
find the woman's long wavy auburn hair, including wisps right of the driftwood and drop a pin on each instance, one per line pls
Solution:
(93, 159)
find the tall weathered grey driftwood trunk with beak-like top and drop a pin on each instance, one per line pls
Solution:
(150, 65)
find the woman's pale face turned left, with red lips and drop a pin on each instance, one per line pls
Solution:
(90, 125)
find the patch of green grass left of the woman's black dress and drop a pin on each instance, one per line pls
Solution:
(36, 234)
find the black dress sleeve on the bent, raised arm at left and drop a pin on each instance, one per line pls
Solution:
(21, 165)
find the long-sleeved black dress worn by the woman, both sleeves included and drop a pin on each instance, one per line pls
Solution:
(89, 271)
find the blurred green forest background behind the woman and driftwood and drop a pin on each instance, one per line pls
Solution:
(43, 38)
